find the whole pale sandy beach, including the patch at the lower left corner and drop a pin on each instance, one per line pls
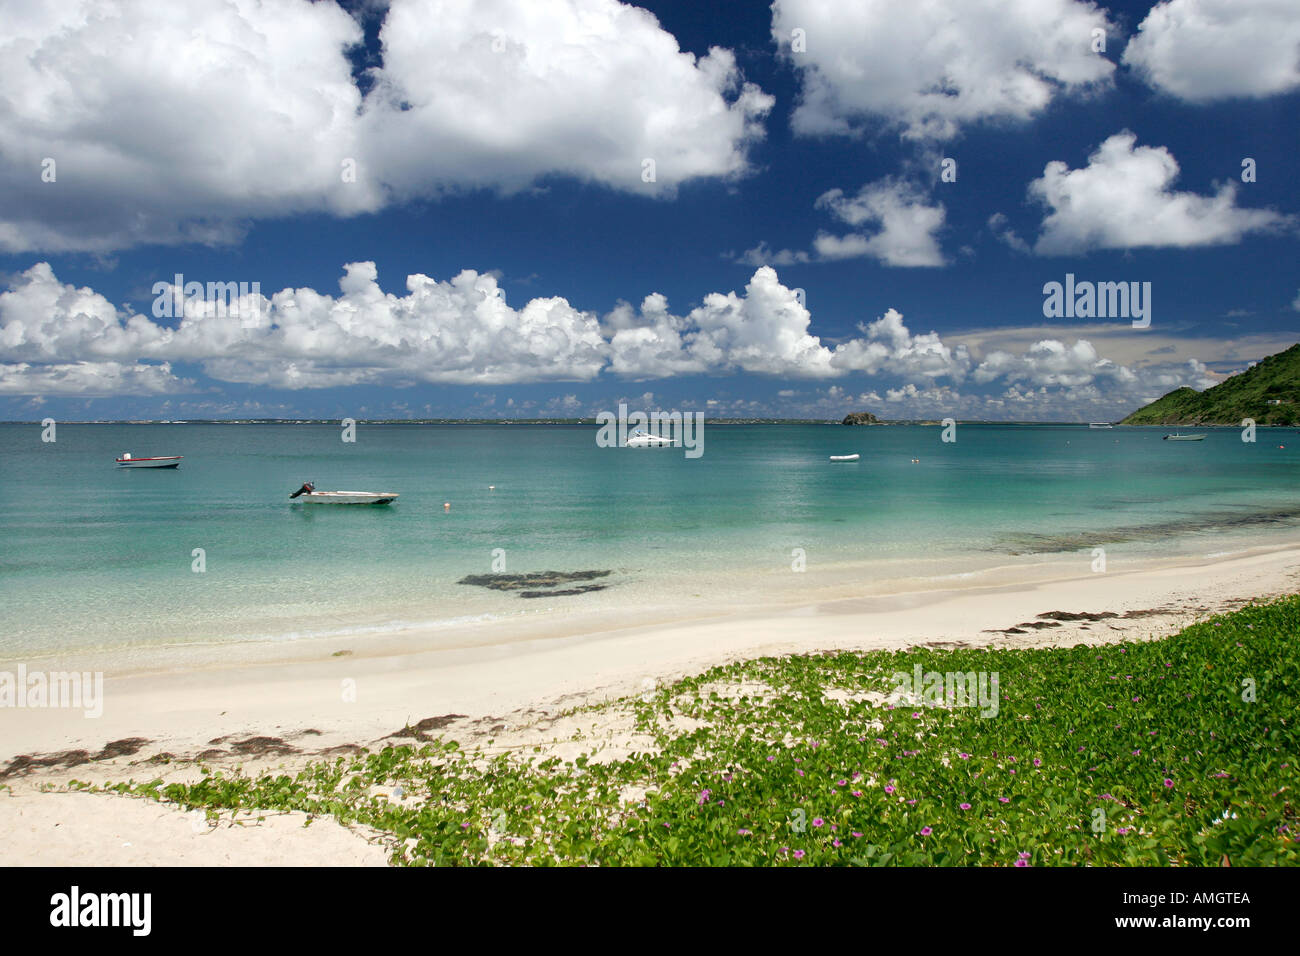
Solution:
(284, 715)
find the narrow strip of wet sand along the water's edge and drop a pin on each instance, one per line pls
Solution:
(769, 587)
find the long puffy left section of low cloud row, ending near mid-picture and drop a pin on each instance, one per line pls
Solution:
(461, 331)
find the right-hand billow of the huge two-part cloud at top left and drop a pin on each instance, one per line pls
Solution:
(497, 93)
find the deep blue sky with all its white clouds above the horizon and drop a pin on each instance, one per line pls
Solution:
(541, 209)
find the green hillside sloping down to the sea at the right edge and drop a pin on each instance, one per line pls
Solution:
(1268, 393)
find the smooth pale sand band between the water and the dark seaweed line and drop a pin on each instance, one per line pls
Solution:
(402, 681)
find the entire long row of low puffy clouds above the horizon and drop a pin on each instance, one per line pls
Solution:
(62, 340)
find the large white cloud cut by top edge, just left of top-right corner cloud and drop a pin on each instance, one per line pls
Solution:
(933, 66)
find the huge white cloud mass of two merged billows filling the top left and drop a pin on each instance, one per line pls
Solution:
(129, 123)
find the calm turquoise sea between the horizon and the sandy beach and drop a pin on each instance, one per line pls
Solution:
(96, 557)
